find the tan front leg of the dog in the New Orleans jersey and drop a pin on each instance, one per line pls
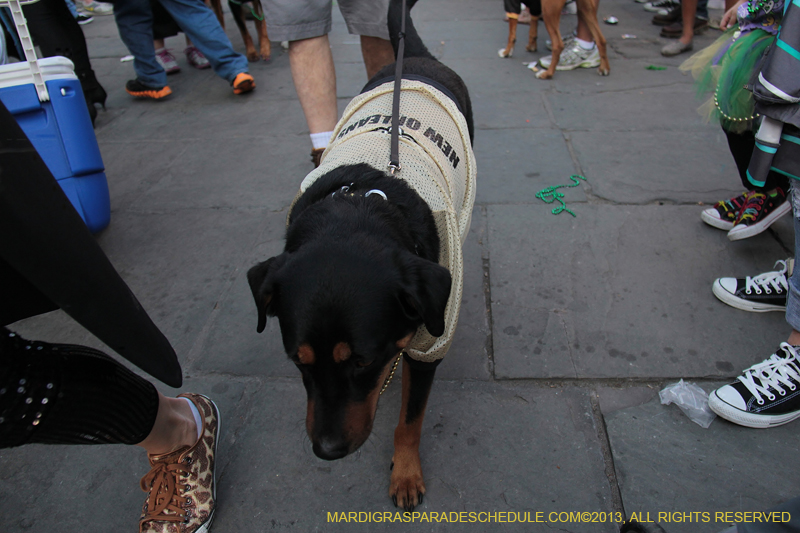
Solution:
(407, 486)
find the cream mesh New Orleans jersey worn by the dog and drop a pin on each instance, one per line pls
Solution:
(436, 160)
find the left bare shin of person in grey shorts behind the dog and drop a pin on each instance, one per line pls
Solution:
(314, 78)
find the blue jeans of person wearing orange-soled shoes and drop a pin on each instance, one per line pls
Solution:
(135, 22)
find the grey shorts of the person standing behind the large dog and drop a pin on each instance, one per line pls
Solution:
(293, 20)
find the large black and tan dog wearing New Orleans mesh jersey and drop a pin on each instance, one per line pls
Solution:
(371, 268)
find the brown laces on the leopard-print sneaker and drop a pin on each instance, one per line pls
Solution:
(165, 502)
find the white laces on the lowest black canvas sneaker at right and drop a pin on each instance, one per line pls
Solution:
(779, 369)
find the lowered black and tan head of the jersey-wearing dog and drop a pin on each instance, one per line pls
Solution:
(345, 314)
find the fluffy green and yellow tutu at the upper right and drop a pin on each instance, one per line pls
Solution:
(724, 68)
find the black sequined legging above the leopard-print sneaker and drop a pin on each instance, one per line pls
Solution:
(67, 394)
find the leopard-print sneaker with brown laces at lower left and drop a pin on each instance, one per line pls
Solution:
(181, 485)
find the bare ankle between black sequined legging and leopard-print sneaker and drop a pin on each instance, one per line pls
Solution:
(174, 427)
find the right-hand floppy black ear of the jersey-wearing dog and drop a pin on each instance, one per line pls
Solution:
(424, 292)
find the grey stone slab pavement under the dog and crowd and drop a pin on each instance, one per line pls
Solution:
(570, 326)
